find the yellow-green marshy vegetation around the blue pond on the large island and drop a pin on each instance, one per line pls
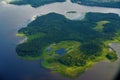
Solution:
(73, 62)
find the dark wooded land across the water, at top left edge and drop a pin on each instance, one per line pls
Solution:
(34, 3)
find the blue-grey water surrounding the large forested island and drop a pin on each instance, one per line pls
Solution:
(12, 18)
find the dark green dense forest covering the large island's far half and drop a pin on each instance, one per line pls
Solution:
(57, 28)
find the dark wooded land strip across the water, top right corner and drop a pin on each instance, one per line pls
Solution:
(100, 3)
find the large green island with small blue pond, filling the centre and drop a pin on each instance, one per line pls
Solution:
(70, 47)
